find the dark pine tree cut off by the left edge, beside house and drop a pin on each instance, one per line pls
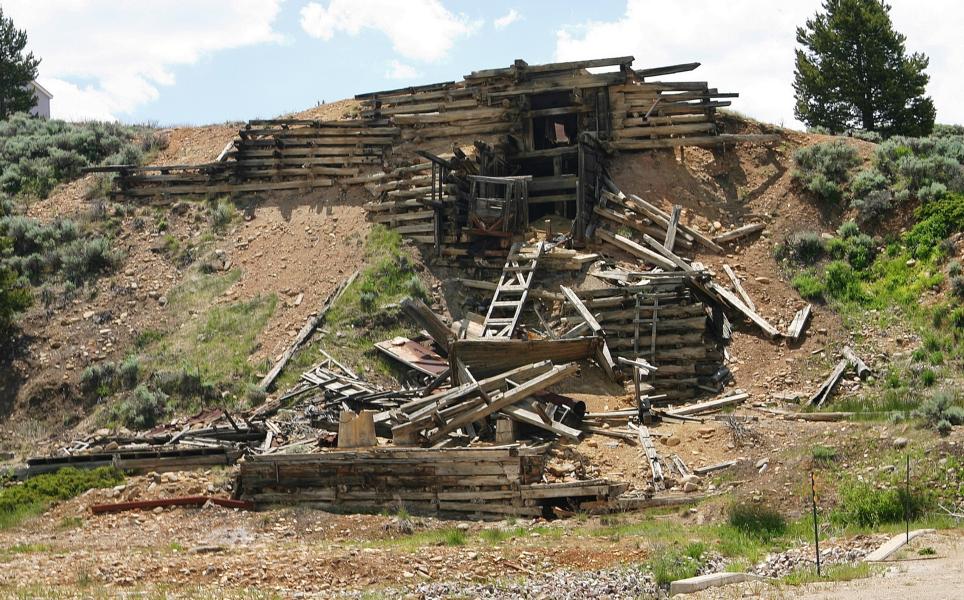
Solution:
(17, 69)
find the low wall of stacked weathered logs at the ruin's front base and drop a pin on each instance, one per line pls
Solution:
(484, 482)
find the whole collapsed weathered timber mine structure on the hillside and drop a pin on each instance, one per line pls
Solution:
(467, 169)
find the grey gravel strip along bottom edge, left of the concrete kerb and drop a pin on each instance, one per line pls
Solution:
(608, 584)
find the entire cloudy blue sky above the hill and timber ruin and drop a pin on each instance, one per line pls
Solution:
(179, 62)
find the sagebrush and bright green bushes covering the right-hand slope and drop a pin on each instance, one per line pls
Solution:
(910, 276)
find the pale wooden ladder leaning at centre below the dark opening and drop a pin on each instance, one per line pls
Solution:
(511, 292)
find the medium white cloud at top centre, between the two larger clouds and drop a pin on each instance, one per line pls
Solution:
(418, 29)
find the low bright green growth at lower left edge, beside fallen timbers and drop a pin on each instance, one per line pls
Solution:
(32, 497)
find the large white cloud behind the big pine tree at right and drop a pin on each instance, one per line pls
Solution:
(747, 46)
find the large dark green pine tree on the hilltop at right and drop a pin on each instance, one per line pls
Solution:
(853, 72)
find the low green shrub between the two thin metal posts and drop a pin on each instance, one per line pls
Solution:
(862, 504)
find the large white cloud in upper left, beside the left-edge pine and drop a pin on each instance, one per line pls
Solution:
(123, 52)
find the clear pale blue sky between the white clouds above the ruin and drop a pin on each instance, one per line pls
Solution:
(265, 80)
